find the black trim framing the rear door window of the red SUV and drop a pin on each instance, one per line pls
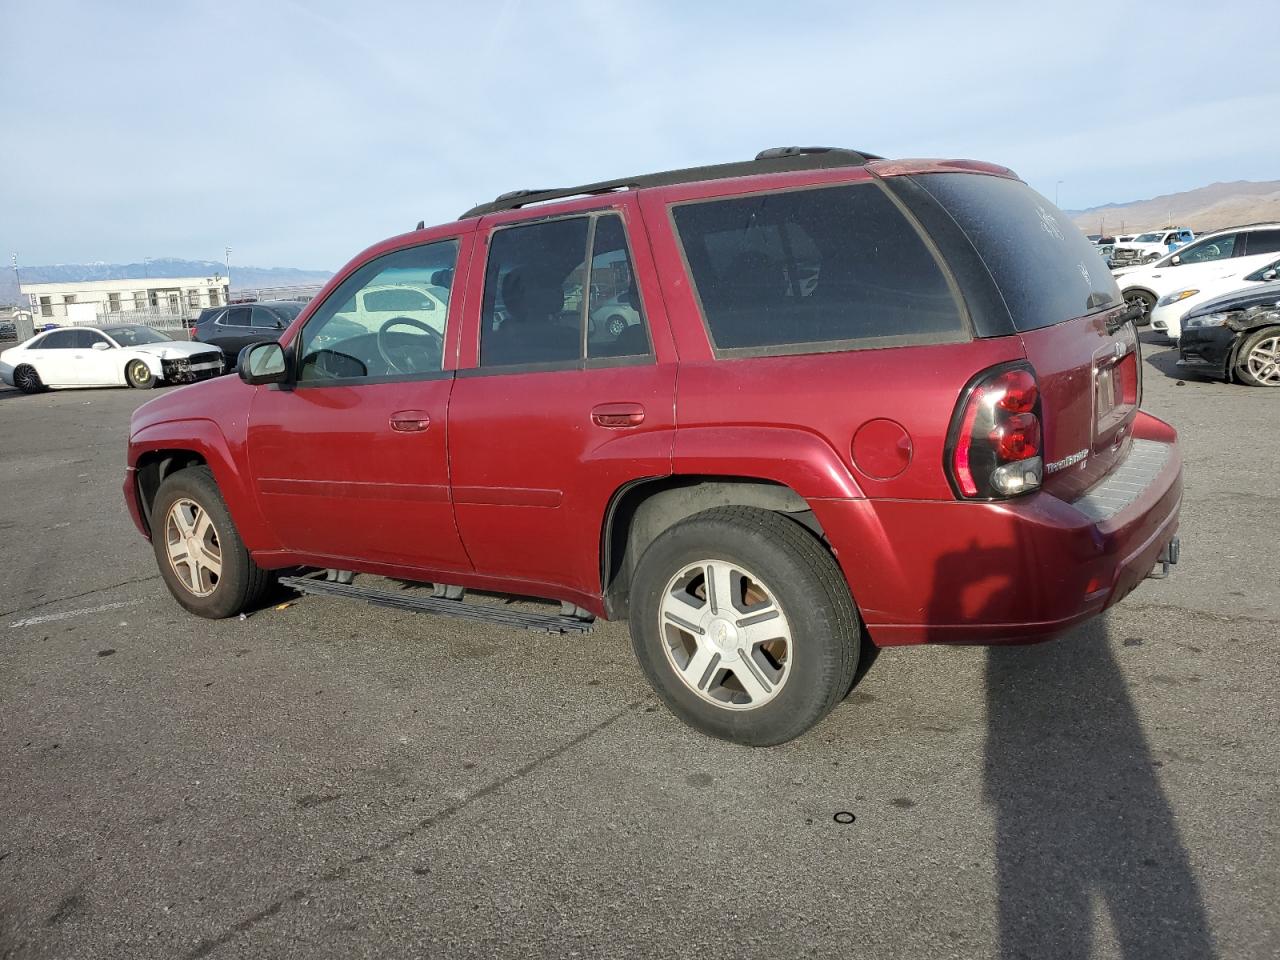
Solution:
(583, 363)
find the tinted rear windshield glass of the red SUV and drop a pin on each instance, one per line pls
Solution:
(1045, 268)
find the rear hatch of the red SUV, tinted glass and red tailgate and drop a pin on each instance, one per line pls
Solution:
(1066, 308)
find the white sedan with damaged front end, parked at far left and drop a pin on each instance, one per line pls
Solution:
(108, 356)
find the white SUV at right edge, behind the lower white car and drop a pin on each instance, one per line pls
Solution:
(1212, 255)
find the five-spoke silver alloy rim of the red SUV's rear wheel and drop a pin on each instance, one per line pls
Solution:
(725, 636)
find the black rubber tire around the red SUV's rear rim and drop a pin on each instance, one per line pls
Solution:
(807, 586)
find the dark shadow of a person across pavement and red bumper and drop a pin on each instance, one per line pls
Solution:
(1082, 824)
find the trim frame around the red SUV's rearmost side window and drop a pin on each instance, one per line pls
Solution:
(847, 346)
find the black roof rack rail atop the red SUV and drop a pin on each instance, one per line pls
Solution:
(772, 161)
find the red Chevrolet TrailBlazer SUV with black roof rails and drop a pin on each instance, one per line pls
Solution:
(760, 410)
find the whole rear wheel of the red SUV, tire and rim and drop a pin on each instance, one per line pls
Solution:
(744, 625)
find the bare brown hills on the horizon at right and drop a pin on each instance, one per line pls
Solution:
(1203, 209)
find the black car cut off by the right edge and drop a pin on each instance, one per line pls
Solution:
(1236, 339)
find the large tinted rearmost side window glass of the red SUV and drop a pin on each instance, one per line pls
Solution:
(808, 271)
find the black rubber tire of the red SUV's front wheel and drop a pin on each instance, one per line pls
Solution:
(241, 583)
